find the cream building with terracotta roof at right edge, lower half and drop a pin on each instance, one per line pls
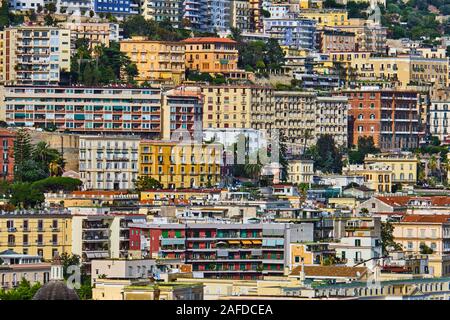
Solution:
(414, 231)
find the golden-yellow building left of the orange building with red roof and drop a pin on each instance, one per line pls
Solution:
(158, 61)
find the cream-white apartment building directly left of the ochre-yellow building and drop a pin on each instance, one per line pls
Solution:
(108, 162)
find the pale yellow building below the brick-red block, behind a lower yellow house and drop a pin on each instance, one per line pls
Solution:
(403, 165)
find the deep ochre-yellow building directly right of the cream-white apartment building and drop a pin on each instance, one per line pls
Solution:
(180, 164)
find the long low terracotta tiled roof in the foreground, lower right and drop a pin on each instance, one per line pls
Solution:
(331, 271)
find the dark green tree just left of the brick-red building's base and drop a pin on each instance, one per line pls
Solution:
(327, 157)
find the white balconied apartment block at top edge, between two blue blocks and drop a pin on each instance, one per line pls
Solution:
(164, 10)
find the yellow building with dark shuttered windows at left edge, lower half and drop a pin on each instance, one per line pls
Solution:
(36, 234)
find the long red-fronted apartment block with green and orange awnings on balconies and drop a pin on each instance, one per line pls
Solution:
(222, 250)
